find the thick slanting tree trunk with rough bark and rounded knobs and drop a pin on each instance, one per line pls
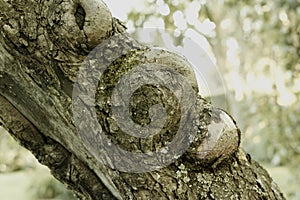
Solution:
(48, 104)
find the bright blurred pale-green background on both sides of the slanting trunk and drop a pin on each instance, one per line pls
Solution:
(253, 72)
